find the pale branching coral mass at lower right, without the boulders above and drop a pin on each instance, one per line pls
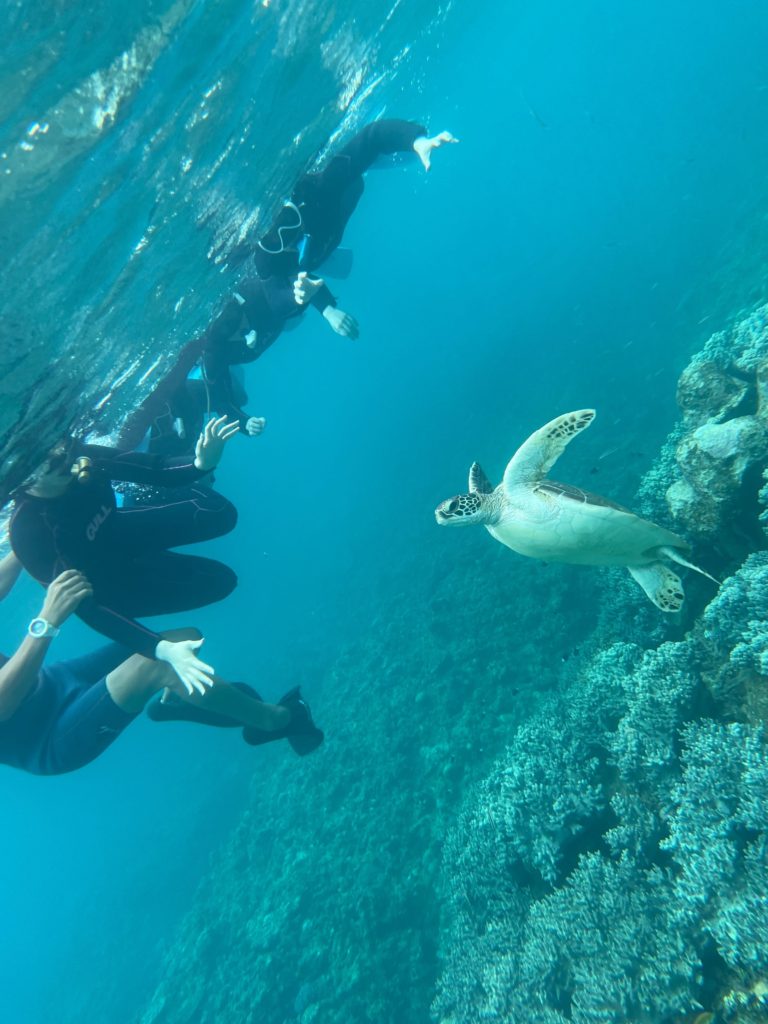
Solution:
(636, 916)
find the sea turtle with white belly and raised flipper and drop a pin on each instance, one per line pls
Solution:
(561, 524)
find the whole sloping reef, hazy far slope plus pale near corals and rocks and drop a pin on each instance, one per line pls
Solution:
(540, 800)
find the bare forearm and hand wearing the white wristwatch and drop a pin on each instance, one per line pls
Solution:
(20, 674)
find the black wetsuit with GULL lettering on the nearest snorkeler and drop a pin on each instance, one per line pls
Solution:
(124, 552)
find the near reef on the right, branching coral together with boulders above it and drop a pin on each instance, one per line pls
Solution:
(613, 867)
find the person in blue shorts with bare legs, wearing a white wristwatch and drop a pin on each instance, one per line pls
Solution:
(58, 718)
